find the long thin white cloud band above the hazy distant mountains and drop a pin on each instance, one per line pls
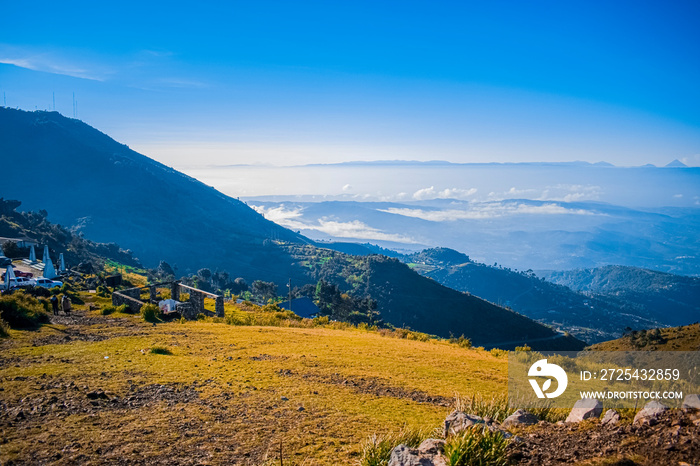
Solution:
(483, 211)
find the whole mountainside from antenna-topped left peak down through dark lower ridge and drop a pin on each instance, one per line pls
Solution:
(102, 189)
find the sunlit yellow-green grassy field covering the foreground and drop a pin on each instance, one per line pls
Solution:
(88, 389)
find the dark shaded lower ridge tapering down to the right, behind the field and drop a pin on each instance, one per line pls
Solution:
(406, 299)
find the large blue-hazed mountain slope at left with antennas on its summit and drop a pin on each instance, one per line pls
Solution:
(86, 180)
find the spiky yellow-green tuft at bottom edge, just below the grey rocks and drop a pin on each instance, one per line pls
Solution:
(476, 446)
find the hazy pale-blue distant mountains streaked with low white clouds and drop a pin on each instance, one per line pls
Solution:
(519, 233)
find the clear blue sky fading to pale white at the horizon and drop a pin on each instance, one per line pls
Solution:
(307, 82)
